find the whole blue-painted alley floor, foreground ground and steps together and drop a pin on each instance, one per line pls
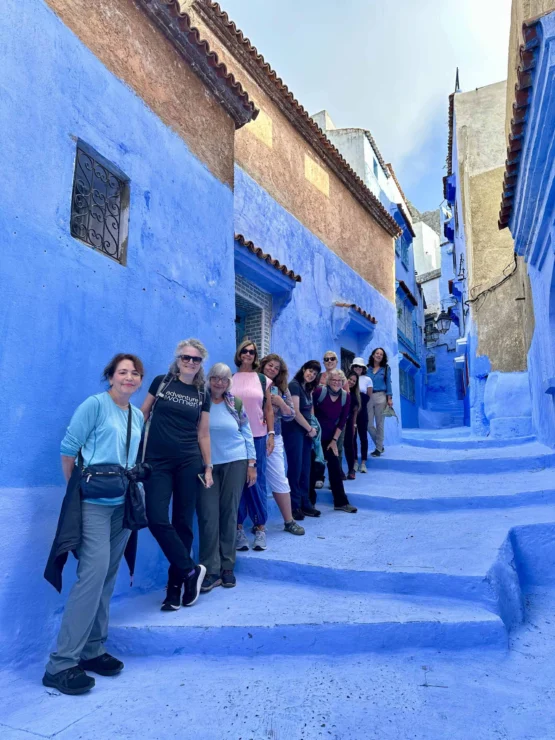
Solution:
(403, 621)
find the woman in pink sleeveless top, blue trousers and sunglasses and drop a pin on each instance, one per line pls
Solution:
(253, 389)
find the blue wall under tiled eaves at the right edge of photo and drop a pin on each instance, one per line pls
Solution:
(532, 225)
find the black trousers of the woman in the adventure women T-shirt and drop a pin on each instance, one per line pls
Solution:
(170, 476)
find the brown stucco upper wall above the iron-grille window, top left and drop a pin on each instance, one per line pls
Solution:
(141, 56)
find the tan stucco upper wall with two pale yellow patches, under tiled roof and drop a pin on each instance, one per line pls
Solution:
(275, 155)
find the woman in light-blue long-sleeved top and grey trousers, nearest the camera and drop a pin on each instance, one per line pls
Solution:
(98, 431)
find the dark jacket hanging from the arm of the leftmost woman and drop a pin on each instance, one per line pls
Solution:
(68, 534)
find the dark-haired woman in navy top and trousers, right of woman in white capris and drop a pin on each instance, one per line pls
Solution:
(297, 439)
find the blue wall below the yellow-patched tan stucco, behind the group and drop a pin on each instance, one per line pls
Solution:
(304, 328)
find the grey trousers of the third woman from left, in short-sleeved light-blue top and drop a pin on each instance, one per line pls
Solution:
(217, 509)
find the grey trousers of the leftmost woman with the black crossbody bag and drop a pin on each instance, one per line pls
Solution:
(84, 626)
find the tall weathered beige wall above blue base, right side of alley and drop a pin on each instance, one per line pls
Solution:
(500, 316)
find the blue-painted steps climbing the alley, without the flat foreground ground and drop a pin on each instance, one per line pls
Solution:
(436, 557)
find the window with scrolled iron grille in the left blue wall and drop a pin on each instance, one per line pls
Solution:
(99, 204)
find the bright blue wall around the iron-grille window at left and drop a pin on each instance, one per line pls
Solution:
(67, 309)
